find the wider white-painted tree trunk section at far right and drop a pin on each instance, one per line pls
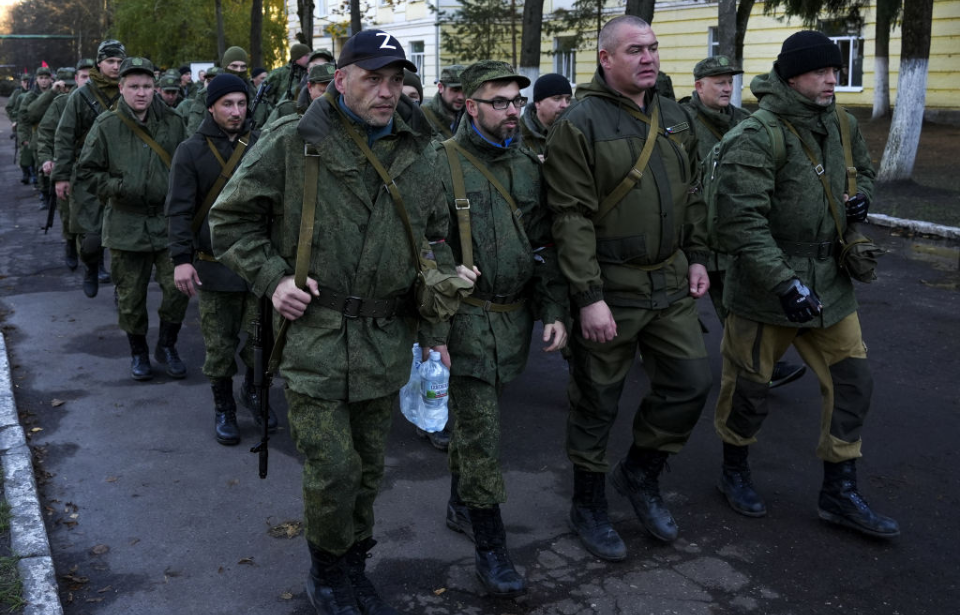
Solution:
(901, 151)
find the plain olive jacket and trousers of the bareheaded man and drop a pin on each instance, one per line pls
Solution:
(636, 259)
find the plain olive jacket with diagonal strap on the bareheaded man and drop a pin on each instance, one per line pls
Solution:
(639, 254)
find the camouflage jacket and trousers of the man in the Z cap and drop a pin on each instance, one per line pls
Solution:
(341, 373)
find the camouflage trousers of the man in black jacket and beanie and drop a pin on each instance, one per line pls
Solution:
(223, 315)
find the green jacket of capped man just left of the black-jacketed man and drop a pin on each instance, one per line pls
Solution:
(129, 177)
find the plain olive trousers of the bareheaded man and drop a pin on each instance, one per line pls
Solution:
(675, 360)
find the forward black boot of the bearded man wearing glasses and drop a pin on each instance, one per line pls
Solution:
(494, 567)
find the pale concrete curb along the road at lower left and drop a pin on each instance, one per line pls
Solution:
(28, 535)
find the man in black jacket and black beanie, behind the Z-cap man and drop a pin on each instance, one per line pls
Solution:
(226, 305)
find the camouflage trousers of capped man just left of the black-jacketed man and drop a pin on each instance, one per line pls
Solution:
(131, 275)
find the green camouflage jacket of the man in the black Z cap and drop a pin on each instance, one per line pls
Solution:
(360, 246)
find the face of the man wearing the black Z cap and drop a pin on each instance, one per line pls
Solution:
(371, 94)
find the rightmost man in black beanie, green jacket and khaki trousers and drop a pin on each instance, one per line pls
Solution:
(779, 220)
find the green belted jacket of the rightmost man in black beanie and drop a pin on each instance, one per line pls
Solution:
(759, 205)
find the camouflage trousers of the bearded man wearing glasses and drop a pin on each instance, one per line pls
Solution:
(474, 451)
